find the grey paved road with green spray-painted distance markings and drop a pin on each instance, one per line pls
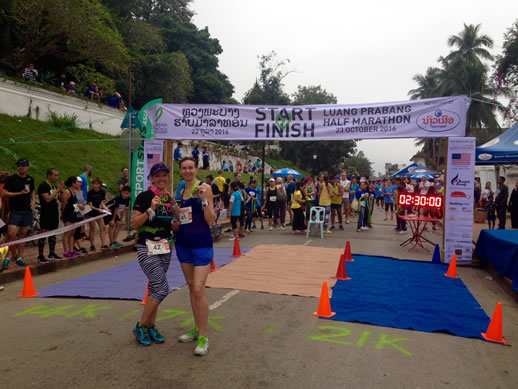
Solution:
(257, 339)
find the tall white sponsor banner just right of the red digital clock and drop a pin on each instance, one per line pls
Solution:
(460, 184)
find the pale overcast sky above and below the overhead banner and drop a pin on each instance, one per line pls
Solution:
(362, 52)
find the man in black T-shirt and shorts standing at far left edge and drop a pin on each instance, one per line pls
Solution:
(22, 199)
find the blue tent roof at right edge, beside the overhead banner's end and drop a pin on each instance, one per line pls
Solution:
(502, 149)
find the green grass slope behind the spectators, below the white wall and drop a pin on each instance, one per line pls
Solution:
(70, 149)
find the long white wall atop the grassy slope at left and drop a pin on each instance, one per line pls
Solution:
(17, 99)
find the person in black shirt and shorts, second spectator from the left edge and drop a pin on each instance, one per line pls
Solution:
(48, 192)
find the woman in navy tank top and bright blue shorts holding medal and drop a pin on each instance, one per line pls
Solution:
(194, 248)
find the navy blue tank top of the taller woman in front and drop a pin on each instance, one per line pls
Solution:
(196, 234)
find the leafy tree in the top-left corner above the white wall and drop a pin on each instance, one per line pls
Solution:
(56, 33)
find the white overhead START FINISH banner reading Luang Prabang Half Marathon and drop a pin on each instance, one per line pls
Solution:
(437, 117)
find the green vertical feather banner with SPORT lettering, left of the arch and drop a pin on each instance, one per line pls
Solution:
(137, 162)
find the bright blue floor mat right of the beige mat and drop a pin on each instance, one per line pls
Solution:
(409, 295)
